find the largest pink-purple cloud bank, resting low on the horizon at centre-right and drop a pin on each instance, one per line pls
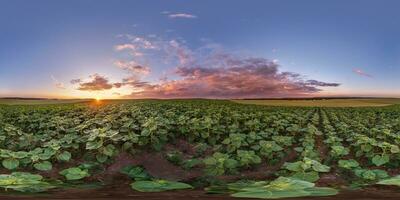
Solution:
(228, 76)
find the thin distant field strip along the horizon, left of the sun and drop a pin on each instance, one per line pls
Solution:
(39, 101)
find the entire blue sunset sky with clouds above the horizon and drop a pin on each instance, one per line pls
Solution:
(205, 49)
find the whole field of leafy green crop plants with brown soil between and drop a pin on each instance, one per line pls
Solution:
(219, 147)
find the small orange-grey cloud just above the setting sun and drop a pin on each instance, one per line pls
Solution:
(96, 83)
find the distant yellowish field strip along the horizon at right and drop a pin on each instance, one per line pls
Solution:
(324, 102)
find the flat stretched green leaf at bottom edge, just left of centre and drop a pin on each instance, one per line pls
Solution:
(159, 186)
